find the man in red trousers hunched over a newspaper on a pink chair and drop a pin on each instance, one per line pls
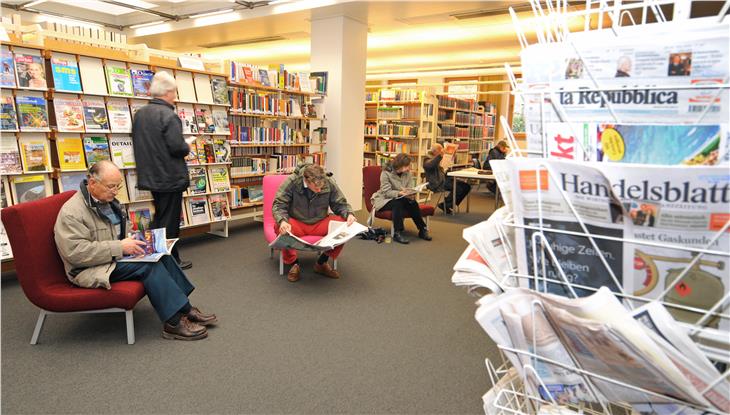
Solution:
(301, 207)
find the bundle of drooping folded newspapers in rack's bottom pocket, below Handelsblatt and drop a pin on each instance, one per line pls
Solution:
(620, 359)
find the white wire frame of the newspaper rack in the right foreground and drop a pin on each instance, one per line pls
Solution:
(509, 393)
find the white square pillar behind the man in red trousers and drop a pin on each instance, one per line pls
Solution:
(339, 46)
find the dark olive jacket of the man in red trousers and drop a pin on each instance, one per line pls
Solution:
(294, 201)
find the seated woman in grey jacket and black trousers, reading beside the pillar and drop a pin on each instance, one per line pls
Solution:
(395, 180)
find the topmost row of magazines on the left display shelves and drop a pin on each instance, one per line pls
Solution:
(27, 68)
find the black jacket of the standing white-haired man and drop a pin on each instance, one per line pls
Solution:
(159, 148)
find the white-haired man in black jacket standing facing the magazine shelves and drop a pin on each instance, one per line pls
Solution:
(160, 150)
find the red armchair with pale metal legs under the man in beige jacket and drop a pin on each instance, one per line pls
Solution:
(40, 271)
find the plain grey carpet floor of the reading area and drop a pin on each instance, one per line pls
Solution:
(392, 336)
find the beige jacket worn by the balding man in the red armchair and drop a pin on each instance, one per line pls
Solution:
(87, 242)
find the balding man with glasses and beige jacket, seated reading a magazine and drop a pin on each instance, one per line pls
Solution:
(91, 237)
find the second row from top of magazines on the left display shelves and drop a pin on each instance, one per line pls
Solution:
(28, 112)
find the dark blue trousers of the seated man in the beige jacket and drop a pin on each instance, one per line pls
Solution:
(164, 283)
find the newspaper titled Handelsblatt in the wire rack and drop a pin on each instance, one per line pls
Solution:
(673, 208)
